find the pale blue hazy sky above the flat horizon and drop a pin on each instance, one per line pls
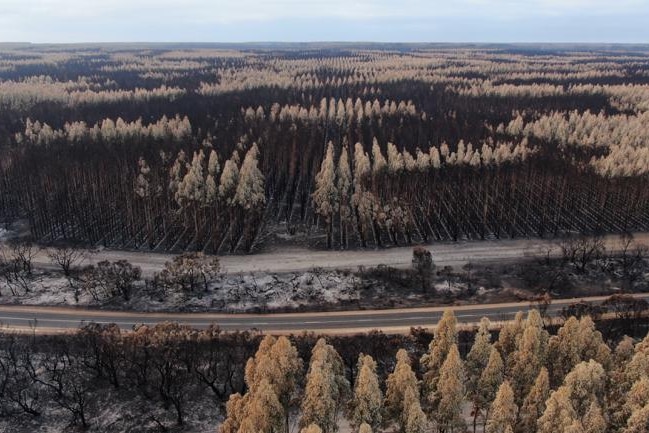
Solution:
(324, 20)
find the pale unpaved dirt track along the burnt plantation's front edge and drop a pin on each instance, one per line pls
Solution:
(296, 260)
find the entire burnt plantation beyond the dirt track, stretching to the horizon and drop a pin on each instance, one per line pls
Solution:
(381, 148)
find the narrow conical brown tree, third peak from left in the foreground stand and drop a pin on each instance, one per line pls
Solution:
(368, 399)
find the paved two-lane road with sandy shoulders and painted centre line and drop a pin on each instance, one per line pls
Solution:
(54, 320)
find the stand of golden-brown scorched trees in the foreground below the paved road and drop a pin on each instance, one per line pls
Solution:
(527, 381)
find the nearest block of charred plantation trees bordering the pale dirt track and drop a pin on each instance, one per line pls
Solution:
(198, 202)
